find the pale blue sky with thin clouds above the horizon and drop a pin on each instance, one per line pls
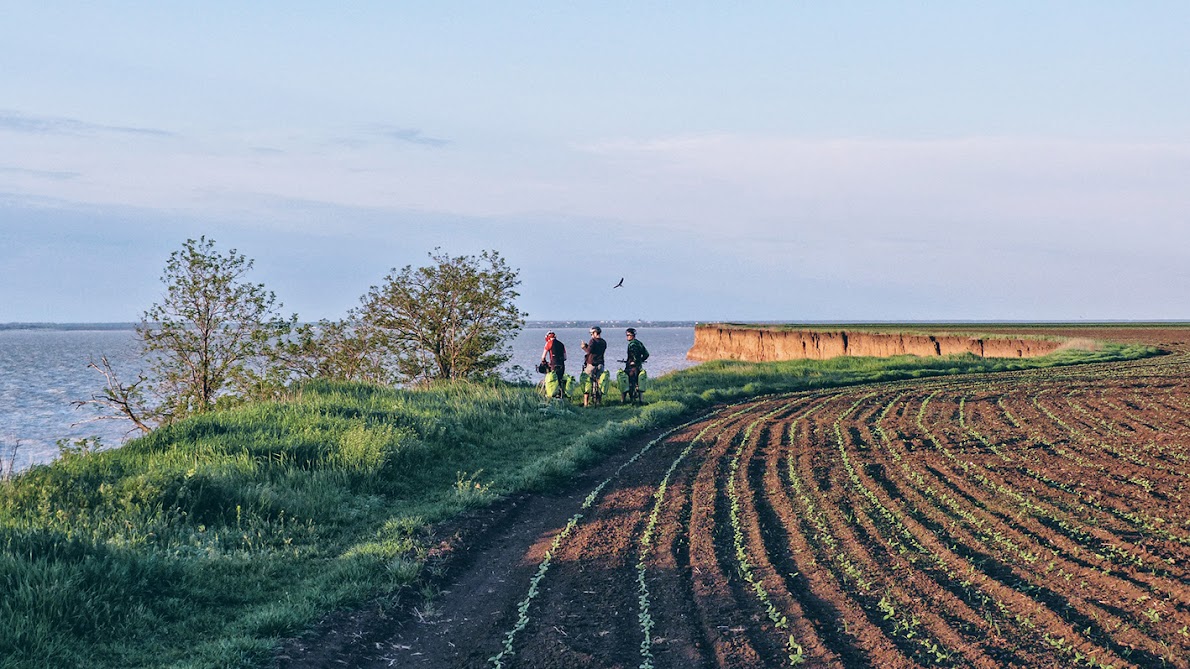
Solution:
(732, 161)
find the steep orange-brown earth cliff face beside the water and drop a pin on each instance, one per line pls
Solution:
(721, 342)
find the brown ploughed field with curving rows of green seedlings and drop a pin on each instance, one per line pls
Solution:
(1028, 520)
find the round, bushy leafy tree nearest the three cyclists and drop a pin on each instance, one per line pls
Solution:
(450, 320)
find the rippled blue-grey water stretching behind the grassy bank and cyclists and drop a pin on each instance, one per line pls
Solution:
(43, 371)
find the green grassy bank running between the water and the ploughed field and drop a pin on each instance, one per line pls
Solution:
(205, 542)
